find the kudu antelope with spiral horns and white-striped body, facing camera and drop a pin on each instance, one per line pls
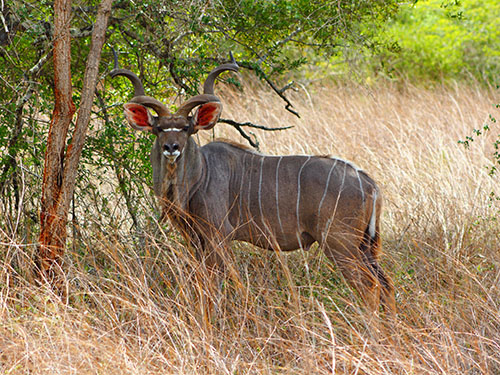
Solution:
(224, 191)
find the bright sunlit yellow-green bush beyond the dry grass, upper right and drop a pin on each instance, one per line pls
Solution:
(441, 40)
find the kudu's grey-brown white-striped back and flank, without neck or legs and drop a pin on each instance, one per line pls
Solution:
(288, 200)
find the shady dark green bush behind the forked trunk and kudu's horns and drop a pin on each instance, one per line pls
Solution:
(171, 45)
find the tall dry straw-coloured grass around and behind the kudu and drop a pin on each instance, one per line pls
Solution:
(141, 307)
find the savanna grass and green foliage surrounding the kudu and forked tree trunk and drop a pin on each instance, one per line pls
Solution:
(406, 91)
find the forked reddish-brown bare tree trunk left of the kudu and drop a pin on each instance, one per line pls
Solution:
(60, 164)
